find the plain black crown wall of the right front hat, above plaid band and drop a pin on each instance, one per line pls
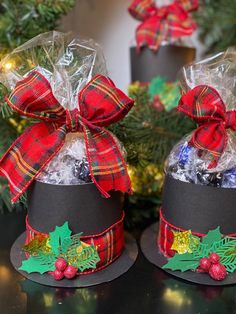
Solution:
(199, 208)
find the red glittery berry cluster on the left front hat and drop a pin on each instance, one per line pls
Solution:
(63, 270)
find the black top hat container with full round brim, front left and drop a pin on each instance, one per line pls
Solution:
(86, 211)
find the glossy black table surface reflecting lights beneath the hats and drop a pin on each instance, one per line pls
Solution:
(143, 289)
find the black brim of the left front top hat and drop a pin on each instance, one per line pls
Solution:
(121, 265)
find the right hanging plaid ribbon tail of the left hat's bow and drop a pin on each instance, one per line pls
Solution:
(110, 173)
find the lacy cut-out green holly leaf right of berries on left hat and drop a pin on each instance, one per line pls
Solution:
(82, 255)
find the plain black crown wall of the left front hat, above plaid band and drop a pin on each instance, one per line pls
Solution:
(82, 206)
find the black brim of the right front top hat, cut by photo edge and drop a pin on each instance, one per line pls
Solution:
(154, 255)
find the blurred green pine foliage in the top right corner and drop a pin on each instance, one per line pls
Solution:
(217, 24)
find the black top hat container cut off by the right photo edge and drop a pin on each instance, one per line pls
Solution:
(199, 208)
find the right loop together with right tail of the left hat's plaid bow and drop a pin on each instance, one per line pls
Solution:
(102, 104)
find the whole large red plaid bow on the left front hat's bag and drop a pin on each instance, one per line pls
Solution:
(100, 103)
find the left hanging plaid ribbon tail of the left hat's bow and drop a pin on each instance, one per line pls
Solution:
(29, 154)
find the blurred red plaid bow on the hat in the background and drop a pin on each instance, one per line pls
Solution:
(162, 24)
